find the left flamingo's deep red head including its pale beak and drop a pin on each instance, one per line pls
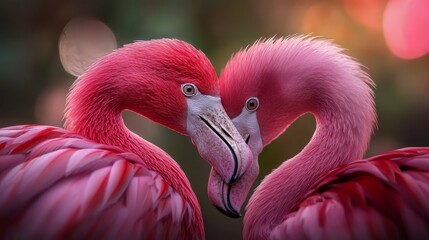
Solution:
(185, 97)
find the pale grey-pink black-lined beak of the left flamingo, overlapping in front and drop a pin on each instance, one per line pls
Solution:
(216, 138)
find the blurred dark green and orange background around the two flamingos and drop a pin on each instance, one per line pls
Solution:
(33, 83)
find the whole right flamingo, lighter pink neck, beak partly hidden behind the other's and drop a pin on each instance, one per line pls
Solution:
(326, 191)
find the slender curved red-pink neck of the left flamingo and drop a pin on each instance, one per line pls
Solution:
(94, 110)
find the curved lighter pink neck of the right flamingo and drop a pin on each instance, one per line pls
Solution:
(343, 106)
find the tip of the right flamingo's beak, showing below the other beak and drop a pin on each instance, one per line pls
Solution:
(229, 198)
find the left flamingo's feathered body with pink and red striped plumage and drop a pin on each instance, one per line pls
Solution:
(82, 189)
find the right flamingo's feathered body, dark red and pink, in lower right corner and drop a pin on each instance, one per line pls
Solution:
(383, 197)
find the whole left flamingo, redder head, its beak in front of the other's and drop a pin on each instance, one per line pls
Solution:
(95, 178)
